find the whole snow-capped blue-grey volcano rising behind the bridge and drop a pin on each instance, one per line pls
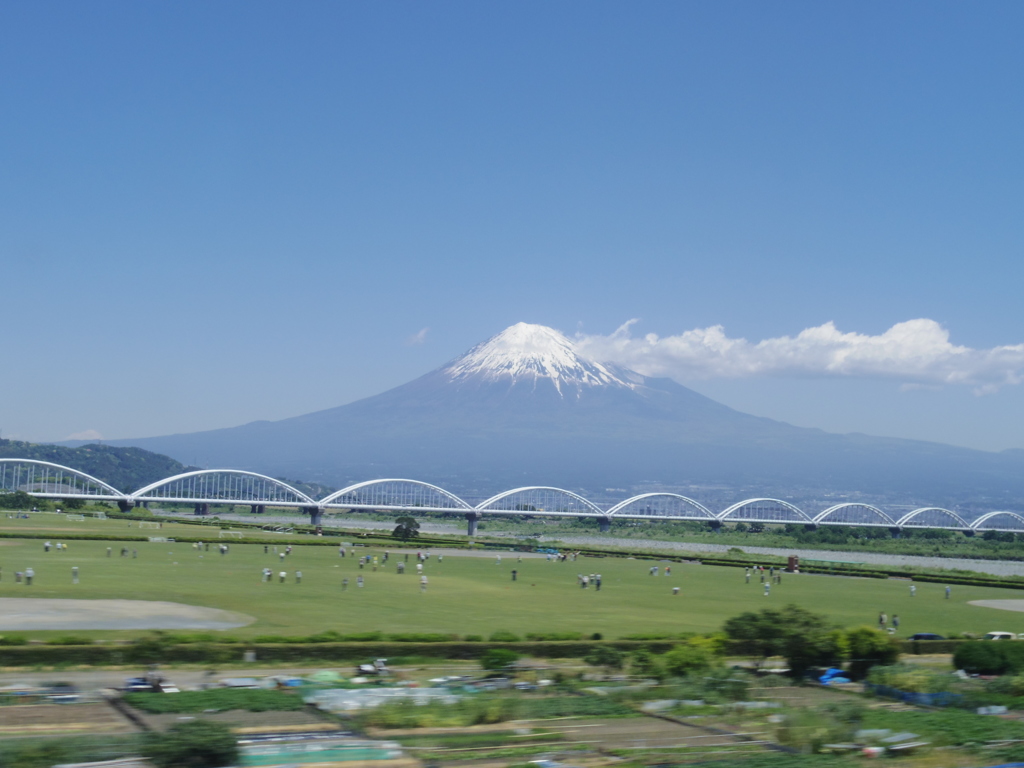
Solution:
(525, 408)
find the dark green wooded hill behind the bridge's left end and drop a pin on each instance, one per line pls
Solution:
(124, 468)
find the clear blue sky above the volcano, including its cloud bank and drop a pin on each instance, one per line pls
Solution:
(212, 214)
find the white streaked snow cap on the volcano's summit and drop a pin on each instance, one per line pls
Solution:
(527, 353)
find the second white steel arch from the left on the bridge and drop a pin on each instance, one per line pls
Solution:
(224, 487)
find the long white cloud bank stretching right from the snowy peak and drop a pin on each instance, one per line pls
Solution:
(917, 353)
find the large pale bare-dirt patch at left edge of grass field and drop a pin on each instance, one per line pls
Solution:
(28, 614)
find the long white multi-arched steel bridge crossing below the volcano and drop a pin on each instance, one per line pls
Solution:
(209, 487)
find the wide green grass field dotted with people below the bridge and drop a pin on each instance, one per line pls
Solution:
(466, 594)
